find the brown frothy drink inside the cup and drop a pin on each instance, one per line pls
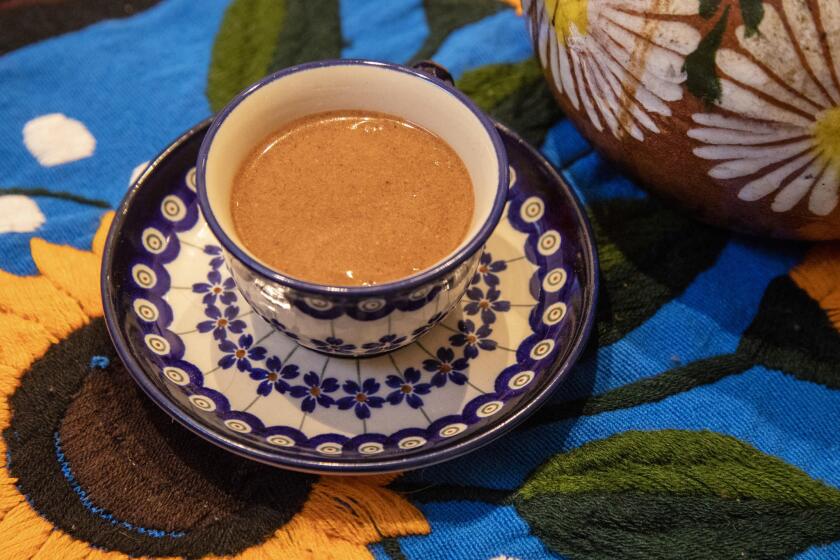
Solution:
(352, 198)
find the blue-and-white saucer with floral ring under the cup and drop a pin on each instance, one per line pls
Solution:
(194, 345)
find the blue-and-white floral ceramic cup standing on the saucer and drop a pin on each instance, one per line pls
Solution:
(341, 320)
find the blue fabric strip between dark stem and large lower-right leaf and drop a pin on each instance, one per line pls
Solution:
(765, 408)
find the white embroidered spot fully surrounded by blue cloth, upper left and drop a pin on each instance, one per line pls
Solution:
(55, 139)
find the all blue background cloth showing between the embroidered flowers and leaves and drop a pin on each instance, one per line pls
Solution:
(135, 95)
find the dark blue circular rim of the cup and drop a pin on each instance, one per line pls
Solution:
(418, 279)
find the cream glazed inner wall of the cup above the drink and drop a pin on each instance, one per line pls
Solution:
(354, 85)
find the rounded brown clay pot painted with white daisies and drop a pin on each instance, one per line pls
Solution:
(730, 108)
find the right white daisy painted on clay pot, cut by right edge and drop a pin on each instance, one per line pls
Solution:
(784, 99)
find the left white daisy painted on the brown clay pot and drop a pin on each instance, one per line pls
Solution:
(622, 57)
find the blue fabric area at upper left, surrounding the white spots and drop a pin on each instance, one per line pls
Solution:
(134, 96)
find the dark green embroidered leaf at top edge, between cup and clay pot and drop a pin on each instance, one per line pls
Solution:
(445, 16)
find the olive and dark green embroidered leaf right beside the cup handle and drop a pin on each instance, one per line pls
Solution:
(516, 95)
